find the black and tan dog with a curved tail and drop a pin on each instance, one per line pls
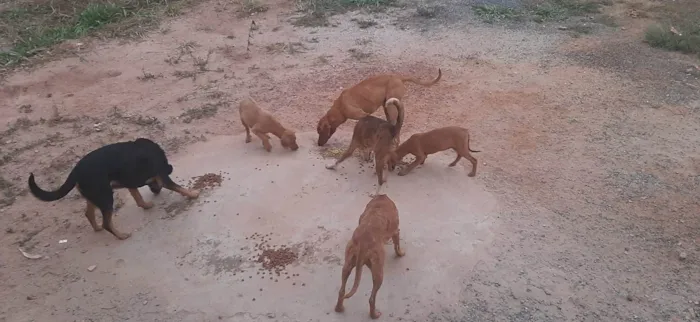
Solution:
(130, 165)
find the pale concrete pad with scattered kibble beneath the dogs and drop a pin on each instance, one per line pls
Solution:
(202, 261)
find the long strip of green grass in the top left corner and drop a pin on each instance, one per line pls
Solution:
(34, 27)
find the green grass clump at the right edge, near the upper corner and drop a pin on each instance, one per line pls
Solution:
(683, 39)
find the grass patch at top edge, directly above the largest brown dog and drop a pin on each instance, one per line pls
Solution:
(316, 12)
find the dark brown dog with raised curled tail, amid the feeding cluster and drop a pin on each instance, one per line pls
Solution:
(377, 135)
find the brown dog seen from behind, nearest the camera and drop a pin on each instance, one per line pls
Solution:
(378, 223)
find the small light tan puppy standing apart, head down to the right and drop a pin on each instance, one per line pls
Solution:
(262, 123)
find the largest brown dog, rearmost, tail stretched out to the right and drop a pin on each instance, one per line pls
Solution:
(364, 99)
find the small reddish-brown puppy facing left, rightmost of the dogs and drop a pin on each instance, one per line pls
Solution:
(423, 144)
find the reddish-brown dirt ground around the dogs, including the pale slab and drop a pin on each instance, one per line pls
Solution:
(584, 207)
